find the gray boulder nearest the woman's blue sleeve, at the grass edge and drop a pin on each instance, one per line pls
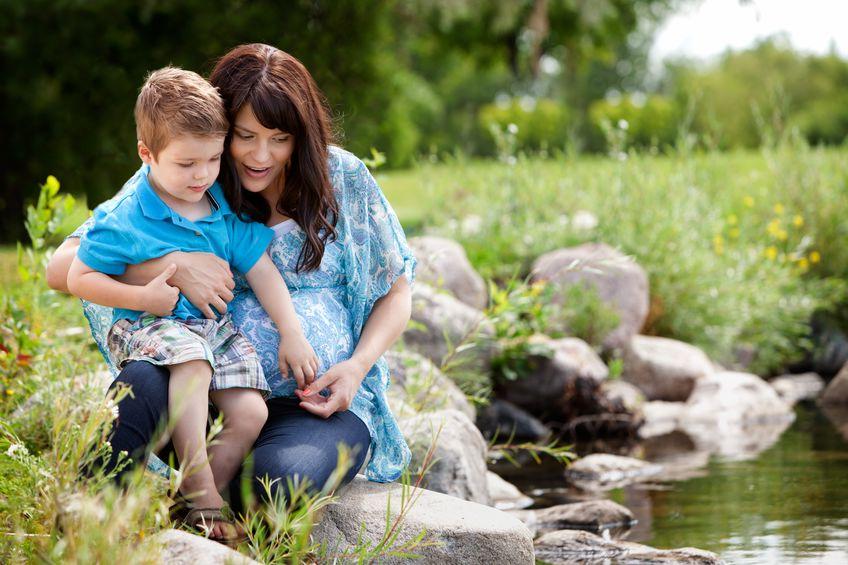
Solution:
(442, 263)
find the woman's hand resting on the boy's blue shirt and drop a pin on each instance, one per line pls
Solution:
(205, 280)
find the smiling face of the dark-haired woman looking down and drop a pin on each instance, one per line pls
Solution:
(260, 154)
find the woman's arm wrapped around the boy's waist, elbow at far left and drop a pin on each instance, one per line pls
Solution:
(203, 278)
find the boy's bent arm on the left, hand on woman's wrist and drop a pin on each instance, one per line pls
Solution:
(156, 297)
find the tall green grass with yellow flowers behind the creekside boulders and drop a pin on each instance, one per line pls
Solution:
(752, 286)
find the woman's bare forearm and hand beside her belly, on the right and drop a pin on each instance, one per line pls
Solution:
(387, 321)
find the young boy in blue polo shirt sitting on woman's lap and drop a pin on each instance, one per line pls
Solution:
(174, 204)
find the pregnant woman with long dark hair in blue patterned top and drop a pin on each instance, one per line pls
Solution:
(342, 253)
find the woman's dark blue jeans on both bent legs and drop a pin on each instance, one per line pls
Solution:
(293, 443)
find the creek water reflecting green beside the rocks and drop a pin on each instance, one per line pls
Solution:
(787, 504)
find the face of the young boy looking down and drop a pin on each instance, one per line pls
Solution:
(186, 168)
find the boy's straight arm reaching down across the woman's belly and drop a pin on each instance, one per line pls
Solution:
(271, 290)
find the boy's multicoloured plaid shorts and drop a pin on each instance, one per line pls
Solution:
(165, 341)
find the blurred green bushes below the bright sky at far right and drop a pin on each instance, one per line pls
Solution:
(791, 89)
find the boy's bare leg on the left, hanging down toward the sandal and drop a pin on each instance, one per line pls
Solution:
(188, 405)
